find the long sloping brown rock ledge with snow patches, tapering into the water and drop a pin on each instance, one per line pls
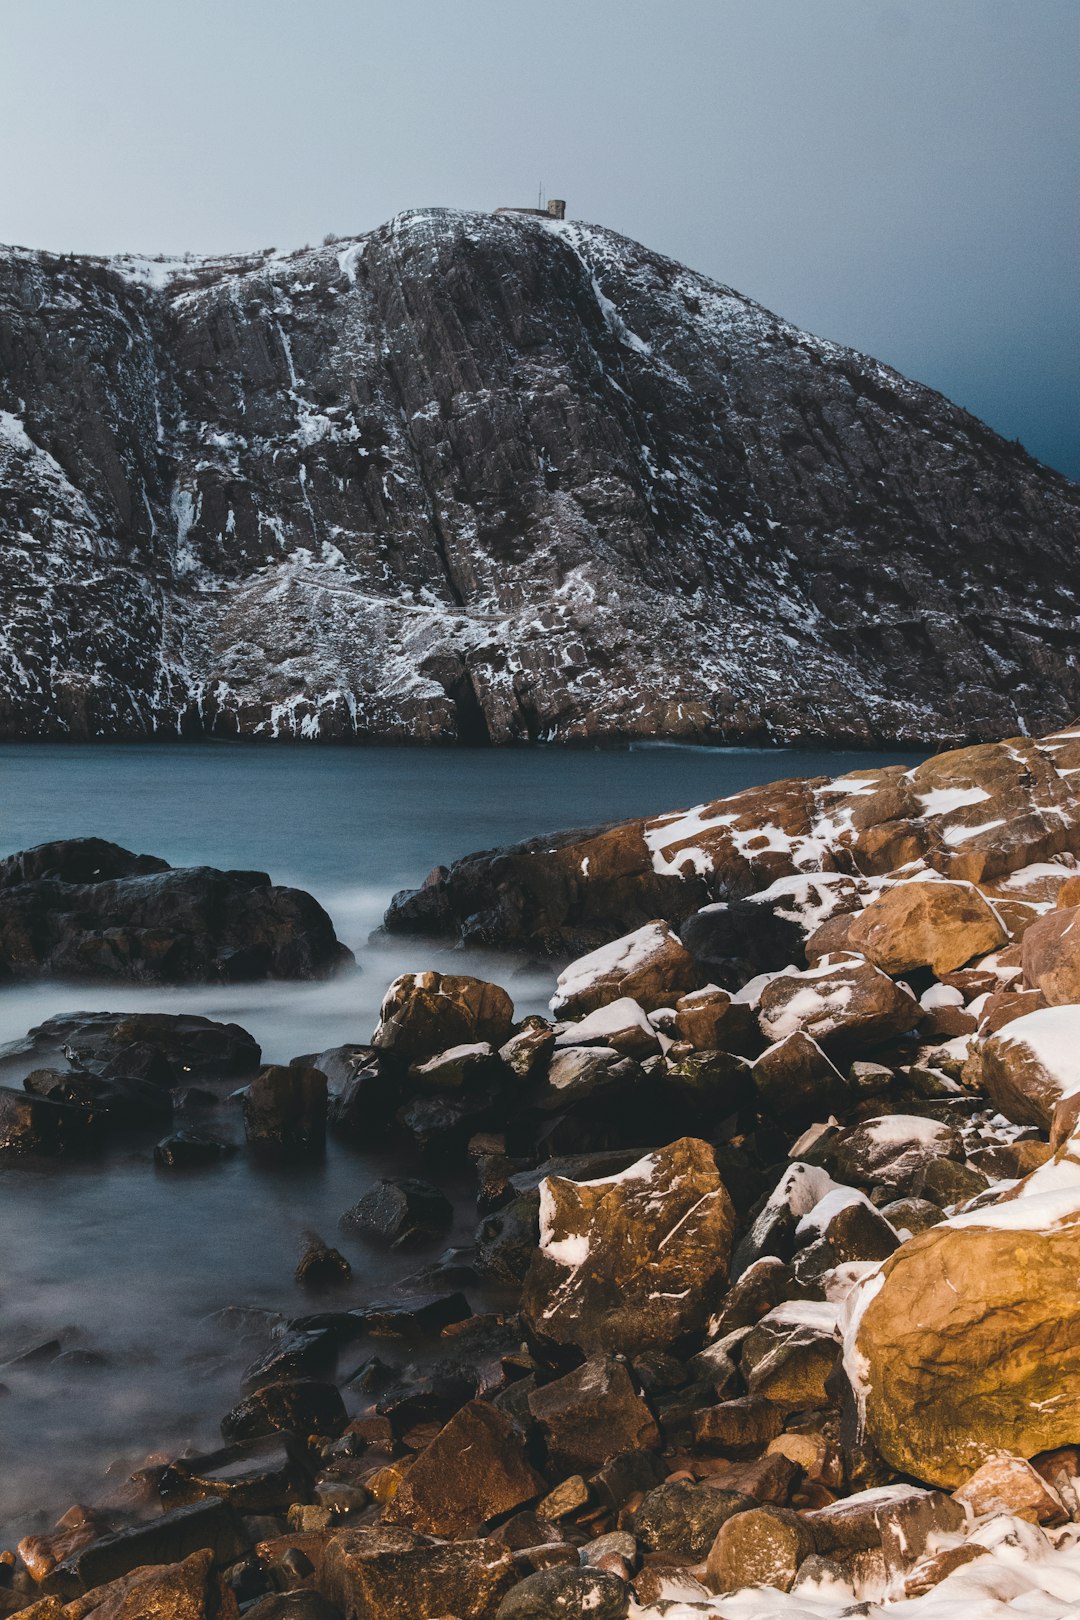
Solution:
(976, 816)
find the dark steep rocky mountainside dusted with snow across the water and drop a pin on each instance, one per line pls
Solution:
(500, 479)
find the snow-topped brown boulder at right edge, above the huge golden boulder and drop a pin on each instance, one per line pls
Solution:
(1032, 1065)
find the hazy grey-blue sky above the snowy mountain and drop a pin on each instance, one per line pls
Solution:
(895, 174)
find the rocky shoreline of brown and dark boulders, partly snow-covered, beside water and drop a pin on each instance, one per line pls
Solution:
(772, 1307)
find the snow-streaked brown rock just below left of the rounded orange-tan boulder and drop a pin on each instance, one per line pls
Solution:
(843, 1005)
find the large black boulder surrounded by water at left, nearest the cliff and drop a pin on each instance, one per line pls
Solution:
(87, 910)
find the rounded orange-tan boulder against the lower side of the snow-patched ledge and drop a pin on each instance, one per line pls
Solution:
(927, 923)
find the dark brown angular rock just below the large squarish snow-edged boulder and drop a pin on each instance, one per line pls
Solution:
(593, 1415)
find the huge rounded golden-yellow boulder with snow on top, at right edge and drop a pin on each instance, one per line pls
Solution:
(967, 1342)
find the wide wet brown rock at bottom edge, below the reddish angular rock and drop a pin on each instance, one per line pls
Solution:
(386, 1574)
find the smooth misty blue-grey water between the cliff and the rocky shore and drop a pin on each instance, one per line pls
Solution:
(124, 1260)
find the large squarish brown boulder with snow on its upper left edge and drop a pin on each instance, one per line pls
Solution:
(632, 1261)
